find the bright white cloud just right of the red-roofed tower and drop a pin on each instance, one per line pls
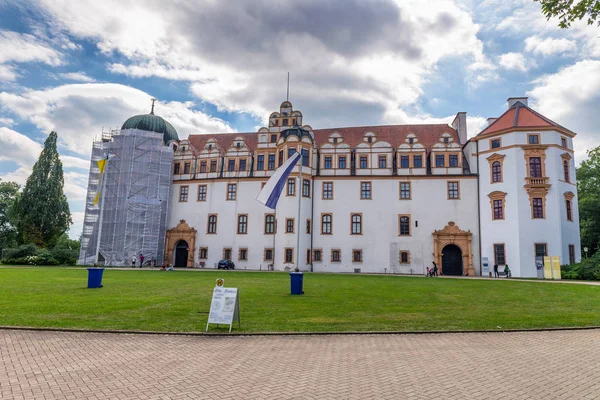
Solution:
(571, 97)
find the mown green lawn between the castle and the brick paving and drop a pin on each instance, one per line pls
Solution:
(179, 301)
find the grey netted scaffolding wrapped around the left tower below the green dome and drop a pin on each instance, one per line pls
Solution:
(134, 198)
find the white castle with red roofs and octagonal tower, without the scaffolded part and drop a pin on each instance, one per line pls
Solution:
(383, 199)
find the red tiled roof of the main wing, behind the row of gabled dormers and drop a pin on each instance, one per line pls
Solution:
(395, 135)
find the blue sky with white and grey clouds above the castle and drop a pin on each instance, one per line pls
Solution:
(77, 67)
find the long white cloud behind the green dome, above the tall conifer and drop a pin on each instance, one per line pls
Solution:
(77, 112)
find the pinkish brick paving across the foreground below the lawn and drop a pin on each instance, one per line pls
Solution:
(55, 365)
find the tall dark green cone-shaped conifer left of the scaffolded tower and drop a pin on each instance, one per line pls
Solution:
(42, 211)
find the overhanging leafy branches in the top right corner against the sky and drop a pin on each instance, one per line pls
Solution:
(569, 11)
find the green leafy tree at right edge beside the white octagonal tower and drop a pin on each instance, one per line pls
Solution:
(588, 188)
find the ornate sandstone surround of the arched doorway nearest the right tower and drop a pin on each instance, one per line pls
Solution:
(452, 234)
